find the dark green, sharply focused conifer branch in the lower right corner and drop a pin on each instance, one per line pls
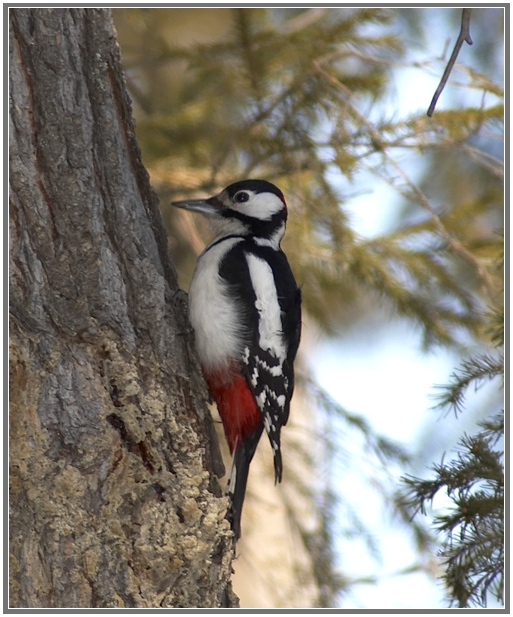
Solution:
(473, 528)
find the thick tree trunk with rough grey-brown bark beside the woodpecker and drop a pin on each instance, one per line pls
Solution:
(114, 499)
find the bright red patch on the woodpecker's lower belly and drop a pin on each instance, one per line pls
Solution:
(236, 405)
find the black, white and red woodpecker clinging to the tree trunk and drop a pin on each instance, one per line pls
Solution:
(245, 309)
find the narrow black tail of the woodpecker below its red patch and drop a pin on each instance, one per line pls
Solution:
(237, 482)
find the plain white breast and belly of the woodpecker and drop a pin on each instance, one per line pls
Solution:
(214, 316)
